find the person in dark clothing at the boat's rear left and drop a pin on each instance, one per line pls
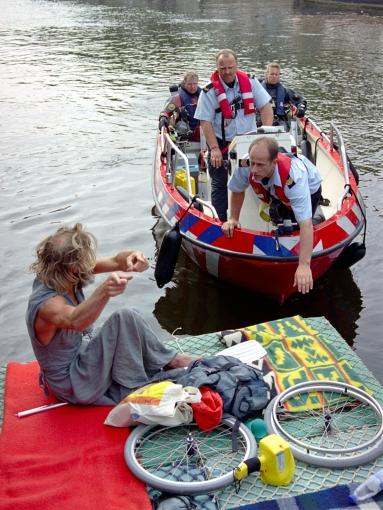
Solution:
(182, 106)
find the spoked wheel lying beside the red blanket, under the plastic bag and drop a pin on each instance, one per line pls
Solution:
(185, 460)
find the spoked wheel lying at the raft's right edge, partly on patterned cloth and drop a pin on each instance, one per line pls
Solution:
(328, 424)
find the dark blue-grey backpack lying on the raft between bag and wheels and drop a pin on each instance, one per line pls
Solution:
(242, 388)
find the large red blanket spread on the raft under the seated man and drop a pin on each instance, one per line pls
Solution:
(64, 458)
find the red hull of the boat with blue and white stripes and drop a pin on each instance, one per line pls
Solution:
(251, 259)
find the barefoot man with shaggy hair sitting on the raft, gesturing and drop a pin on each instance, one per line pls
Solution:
(77, 364)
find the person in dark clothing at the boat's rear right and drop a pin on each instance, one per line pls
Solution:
(286, 102)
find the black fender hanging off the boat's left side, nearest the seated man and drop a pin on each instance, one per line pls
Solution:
(168, 256)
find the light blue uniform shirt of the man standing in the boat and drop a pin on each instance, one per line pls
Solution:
(241, 124)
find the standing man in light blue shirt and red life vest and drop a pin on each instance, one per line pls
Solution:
(226, 108)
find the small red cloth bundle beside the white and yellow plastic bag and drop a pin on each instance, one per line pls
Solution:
(208, 412)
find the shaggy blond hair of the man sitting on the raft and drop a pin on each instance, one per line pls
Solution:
(66, 258)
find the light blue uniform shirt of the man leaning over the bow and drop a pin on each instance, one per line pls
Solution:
(306, 179)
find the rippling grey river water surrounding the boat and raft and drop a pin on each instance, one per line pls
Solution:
(82, 83)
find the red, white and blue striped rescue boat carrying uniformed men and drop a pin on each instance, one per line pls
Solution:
(261, 256)
